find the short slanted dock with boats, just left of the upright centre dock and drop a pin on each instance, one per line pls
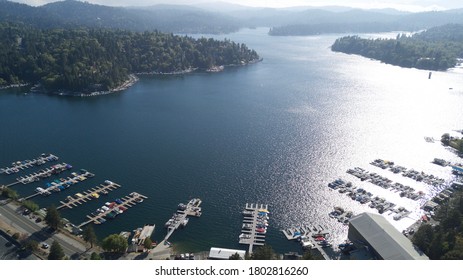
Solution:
(180, 218)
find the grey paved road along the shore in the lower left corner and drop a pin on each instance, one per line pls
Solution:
(38, 231)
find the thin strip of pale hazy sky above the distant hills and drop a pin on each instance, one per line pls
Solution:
(410, 5)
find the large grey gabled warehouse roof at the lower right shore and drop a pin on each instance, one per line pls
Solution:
(386, 240)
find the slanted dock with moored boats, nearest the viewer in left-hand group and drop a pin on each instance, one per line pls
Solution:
(111, 209)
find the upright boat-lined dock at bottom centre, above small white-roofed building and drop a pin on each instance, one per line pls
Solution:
(255, 222)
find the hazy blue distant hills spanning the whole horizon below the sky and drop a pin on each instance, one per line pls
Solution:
(224, 18)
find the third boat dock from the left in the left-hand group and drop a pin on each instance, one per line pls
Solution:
(61, 184)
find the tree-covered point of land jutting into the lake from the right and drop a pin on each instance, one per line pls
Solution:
(435, 49)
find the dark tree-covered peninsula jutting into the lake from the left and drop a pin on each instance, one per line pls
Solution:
(86, 60)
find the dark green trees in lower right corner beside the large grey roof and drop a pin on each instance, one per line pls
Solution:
(444, 241)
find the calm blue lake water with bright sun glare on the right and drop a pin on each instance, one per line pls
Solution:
(276, 132)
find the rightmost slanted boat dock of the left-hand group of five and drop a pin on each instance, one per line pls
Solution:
(125, 202)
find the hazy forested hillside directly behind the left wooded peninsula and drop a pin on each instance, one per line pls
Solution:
(73, 14)
